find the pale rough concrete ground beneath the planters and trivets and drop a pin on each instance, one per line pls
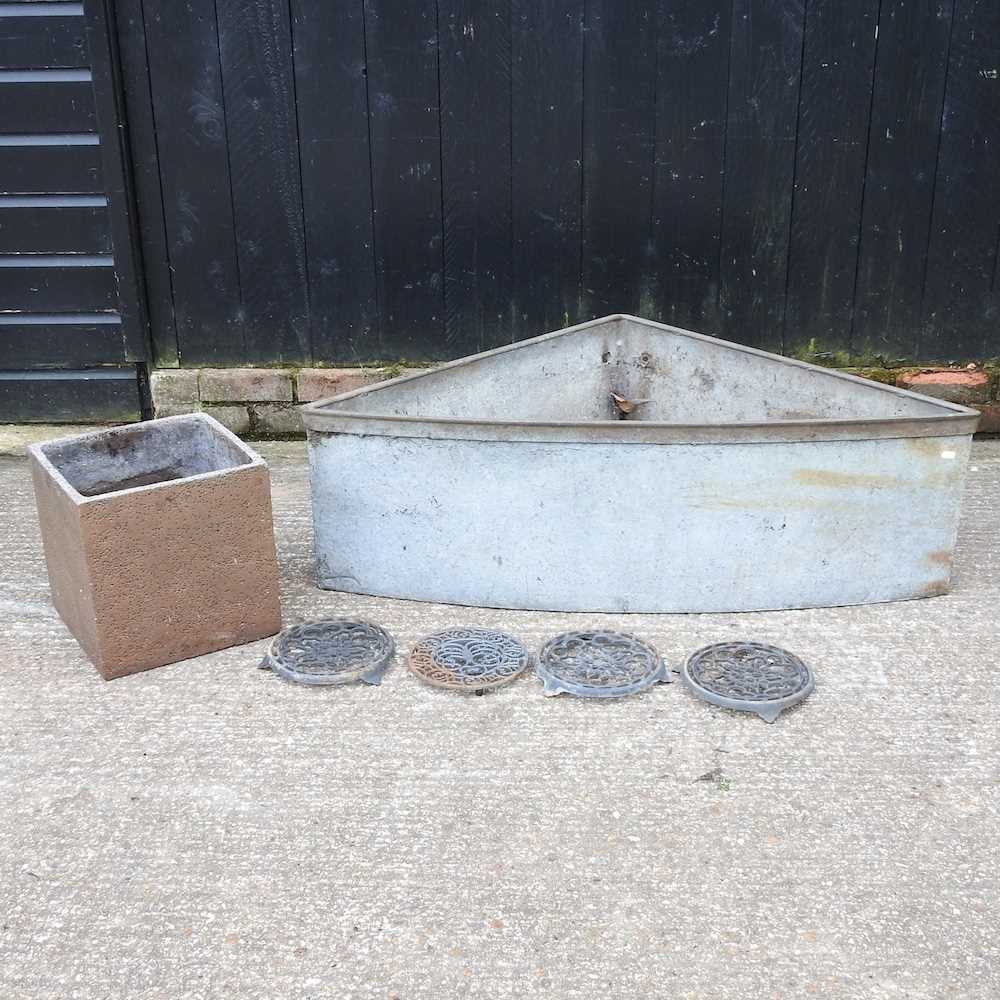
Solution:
(205, 830)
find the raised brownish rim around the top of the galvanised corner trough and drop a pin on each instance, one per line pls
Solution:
(322, 417)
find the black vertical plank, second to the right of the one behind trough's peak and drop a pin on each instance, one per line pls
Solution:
(765, 67)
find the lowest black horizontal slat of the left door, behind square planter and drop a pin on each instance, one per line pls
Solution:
(70, 396)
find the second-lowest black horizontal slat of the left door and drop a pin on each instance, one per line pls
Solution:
(44, 343)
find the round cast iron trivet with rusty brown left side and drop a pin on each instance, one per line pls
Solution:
(468, 659)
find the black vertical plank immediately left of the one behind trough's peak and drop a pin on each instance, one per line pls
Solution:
(546, 162)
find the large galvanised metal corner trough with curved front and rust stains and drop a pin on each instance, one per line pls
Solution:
(623, 465)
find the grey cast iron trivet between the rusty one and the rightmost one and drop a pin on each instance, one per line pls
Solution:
(599, 664)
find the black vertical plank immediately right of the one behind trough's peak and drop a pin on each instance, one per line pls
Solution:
(691, 97)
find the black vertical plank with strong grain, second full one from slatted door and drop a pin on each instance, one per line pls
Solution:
(256, 50)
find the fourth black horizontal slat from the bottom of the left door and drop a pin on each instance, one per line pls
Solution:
(44, 229)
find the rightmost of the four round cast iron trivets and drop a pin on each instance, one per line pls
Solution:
(748, 677)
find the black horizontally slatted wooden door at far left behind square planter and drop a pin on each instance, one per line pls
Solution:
(73, 336)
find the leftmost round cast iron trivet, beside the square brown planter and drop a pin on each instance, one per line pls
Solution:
(333, 651)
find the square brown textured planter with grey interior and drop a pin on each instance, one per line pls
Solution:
(158, 540)
